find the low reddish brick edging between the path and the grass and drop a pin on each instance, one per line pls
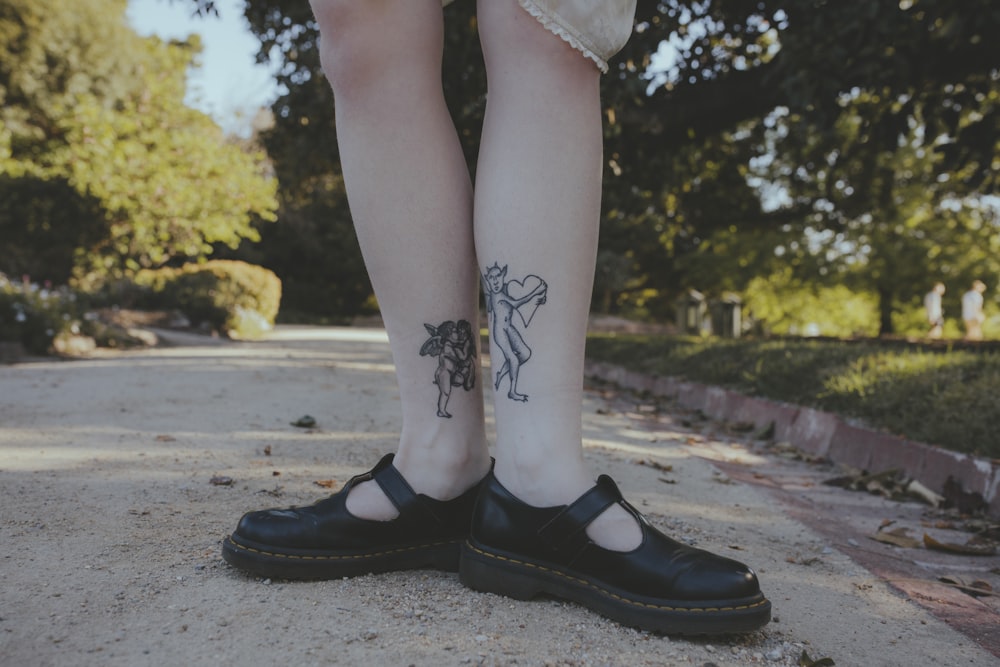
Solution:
(823, 434)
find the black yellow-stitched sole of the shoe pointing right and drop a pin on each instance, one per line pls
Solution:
(521, 579)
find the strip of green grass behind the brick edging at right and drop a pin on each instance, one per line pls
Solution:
(941, 396)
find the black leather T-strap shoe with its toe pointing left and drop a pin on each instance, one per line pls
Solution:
(325, 541)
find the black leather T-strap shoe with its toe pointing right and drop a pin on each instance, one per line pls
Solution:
(664, 586)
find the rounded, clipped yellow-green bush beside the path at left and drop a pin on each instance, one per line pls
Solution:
(232, 297)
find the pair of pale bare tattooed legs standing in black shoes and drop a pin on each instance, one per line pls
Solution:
(537, 208)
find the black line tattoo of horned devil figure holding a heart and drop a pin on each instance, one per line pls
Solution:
(503, 299)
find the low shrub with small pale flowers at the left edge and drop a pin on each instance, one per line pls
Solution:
(33, 315)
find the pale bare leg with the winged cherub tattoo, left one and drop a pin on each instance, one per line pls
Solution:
(411, 199)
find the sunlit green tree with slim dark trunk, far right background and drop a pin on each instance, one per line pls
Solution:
(887, 217)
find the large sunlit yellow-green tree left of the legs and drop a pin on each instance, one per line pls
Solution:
(96, 141)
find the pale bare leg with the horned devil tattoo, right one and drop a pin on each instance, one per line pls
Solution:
(537, 208)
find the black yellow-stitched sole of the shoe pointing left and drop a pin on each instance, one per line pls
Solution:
(267, 561)
